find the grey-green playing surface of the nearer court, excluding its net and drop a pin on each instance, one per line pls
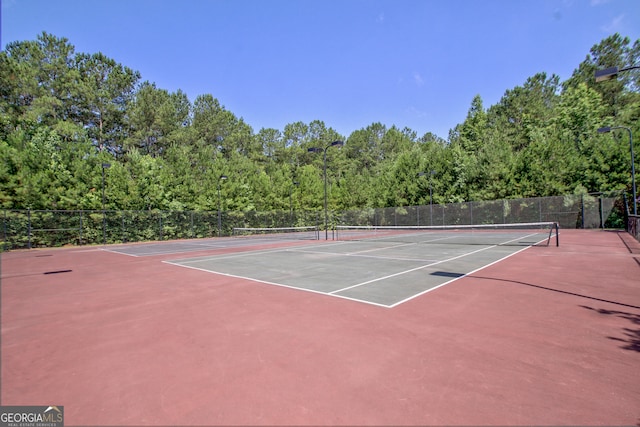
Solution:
(380, 273)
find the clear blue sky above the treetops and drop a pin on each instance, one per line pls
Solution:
(349, 63)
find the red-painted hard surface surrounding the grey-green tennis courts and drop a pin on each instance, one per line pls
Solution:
(549, 336)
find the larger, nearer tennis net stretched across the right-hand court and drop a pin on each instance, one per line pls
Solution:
(520, 234)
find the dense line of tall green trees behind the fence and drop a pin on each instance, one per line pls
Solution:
(64, 116)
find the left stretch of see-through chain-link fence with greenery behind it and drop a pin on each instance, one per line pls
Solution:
(25, 229)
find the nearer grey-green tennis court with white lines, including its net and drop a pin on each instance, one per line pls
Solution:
(384, 266)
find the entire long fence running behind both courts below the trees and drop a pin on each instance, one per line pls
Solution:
(49, 228)
